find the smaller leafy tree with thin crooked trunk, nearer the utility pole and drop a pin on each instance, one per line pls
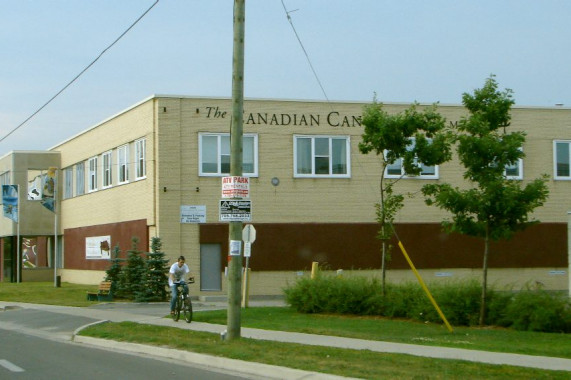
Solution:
(412, 136)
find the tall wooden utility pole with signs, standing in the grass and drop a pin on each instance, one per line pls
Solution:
(236, 133)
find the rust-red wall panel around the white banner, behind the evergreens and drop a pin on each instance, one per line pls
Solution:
(121, 234)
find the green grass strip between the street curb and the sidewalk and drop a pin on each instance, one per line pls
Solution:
(362, 364)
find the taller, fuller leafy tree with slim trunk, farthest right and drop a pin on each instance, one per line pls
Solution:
(495, 207)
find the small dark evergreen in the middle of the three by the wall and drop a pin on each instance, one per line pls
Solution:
(133, 274)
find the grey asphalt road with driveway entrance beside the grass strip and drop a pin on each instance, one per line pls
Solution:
(35, 344)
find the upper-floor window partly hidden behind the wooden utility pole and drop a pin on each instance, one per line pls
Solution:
(214, 154)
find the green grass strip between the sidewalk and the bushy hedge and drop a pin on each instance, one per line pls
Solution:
(400, 331)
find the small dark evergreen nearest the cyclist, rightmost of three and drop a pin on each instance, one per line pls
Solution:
(156, 278)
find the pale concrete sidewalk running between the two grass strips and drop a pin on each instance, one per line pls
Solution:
(155, 315)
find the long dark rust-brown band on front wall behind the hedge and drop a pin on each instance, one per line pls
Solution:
(355, 246)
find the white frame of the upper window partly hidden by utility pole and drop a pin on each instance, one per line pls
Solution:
(253, 151)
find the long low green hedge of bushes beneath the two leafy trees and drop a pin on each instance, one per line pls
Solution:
(459, 301)
